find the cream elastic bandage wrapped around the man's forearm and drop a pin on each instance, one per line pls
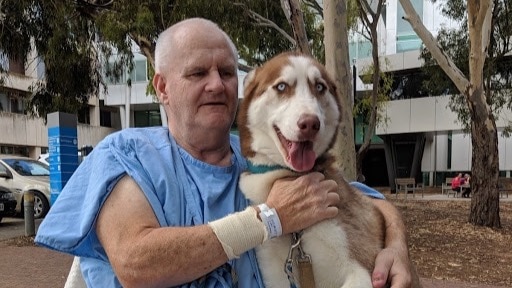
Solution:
(239, 232)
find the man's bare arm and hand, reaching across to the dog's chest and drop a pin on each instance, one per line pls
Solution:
(143, 254)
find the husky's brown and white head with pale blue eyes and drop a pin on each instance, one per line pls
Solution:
(290, 112)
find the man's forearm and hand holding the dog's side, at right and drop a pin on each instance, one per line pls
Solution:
(393, 262)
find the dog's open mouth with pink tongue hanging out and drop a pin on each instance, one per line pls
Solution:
(299, 154)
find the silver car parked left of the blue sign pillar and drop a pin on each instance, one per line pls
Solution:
(20, 174)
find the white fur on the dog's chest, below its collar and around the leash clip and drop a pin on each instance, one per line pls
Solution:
(326, 243)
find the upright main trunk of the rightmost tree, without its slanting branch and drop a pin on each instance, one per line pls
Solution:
(485, 164)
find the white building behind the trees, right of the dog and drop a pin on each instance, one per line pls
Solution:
(422, 138)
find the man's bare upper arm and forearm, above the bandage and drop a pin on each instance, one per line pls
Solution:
(144, 254)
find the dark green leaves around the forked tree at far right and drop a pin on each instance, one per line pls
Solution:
(455, 42)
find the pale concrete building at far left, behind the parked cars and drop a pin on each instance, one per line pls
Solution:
(25, 135)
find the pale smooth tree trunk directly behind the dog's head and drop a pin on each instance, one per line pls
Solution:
(337, 64)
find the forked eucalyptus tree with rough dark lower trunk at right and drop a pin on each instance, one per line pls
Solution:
(482, 24)
